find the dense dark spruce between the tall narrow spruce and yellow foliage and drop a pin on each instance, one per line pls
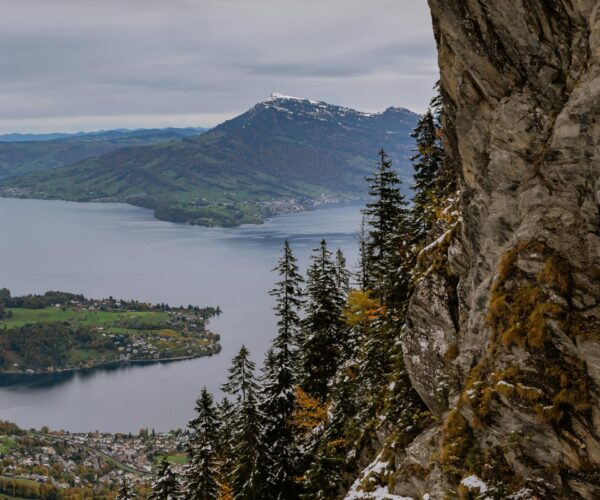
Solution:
(321, 345)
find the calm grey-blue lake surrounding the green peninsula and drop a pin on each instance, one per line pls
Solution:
(113, 249)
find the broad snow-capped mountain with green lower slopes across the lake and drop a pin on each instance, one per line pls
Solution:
(283, 153)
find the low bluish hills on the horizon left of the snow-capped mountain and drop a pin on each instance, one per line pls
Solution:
(24, 153)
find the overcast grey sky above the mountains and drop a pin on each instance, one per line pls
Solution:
(69, 65)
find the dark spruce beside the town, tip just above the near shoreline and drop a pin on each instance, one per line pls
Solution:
(200, 477)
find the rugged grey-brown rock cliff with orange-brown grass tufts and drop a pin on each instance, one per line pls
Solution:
(503, 341)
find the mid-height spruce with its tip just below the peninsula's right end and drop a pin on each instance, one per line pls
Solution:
(246, 479)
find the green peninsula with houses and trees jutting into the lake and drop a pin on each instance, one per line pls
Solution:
(59, 331)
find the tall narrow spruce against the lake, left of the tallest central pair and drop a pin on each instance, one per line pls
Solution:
(278, 383)
